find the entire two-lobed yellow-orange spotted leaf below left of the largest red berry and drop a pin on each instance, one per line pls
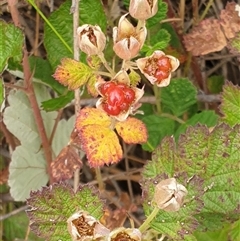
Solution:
(98, 140)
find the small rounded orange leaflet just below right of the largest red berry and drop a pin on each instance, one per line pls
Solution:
(132, 131)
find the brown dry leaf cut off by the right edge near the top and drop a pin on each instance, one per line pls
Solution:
(230, 20)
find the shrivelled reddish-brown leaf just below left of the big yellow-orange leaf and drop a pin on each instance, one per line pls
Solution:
(65, 164)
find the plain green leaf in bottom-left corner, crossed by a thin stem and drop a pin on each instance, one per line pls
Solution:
(15, 228)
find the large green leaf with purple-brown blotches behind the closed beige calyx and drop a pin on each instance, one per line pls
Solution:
(207, 164)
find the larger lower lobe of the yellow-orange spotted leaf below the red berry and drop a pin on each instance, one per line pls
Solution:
(100, 144)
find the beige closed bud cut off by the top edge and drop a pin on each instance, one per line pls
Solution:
(143, 9)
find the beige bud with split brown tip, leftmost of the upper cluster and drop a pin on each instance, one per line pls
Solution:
(91, 39)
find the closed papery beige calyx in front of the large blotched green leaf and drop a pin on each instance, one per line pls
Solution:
(169, 195)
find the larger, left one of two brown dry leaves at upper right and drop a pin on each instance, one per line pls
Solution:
(205, 38)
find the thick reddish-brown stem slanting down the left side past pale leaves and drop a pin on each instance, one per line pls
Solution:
(31, 95)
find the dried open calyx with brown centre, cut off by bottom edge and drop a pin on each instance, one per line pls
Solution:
(126, 234)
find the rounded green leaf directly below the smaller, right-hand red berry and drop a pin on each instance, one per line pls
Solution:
(179, 96)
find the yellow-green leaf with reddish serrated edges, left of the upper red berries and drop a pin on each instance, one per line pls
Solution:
(72, 73)
